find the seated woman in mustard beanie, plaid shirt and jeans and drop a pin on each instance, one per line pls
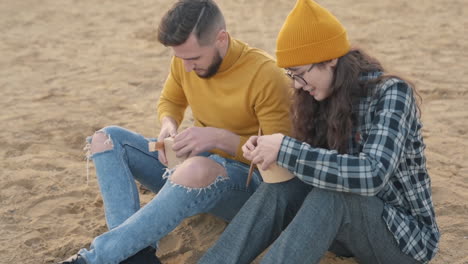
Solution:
(361, 188)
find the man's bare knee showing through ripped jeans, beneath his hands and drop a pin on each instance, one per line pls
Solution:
(198, 172)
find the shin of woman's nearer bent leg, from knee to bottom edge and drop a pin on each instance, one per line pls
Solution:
(312, 231)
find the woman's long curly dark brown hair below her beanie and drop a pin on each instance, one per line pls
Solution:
(329, 123)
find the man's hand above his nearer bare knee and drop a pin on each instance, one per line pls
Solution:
(195, 140)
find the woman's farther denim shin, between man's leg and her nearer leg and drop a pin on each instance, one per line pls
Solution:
(258, 223)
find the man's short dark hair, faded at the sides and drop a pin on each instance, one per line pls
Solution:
(202, 17)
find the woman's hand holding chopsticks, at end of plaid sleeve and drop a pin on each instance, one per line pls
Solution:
(263, 150)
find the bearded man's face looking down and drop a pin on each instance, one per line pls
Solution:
(204, 60)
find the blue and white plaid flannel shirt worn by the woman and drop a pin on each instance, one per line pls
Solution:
(385, 159)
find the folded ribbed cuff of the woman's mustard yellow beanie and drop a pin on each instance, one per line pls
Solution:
(314, 52)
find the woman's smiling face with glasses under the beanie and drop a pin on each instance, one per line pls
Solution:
(314, 79)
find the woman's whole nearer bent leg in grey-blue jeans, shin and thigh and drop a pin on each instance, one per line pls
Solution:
(327, 219)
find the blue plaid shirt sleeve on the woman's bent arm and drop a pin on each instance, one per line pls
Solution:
(367, 173)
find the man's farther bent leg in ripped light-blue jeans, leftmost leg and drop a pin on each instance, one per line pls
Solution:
(121, 156)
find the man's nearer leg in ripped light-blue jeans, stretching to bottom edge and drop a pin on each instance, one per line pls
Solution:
(196, 186)
